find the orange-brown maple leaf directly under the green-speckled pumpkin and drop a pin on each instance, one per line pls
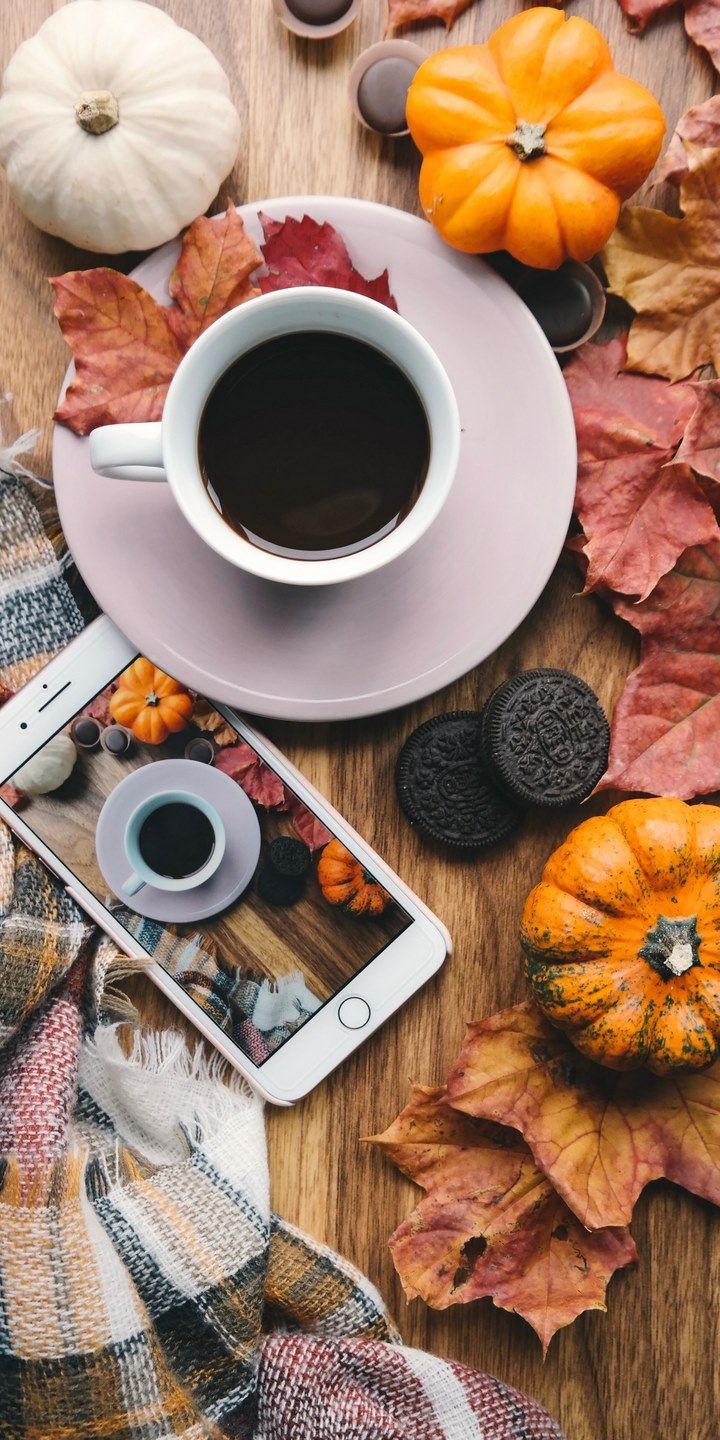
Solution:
(598, 1135)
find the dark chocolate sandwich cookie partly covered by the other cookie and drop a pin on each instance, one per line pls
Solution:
(446, 790)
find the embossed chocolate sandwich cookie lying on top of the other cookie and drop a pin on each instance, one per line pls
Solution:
(545, 738)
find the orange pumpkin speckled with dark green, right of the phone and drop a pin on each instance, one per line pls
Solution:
(623, 937)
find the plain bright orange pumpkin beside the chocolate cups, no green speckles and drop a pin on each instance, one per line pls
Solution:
(532, 140)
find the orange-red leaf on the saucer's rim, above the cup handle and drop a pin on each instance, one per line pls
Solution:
(126, 345)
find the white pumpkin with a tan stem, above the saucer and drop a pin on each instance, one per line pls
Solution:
(116, 126)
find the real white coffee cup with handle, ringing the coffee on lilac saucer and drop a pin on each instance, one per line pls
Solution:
(168, 449)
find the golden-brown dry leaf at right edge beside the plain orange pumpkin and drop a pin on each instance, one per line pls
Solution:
(669, 270)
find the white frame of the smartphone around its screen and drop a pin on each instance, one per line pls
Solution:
(50, 702)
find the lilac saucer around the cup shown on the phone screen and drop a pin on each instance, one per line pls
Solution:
(243, 834)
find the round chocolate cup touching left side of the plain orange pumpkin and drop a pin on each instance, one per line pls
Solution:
(377, 83)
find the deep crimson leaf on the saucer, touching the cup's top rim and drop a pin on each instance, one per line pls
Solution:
(303, 253)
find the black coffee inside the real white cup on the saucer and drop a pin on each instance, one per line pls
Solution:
(315, 446)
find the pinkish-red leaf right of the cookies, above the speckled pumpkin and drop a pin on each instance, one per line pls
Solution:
(666, 729)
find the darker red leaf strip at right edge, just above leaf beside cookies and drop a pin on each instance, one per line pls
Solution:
(686, 598)
